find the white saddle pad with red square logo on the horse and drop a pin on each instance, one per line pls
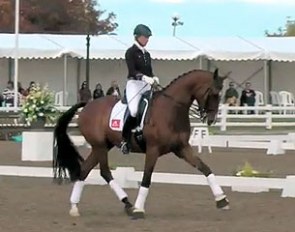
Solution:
(117, 116)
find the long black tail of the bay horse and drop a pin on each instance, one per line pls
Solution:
(65, 155)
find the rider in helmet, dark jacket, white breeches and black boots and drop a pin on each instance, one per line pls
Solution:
(140, 79)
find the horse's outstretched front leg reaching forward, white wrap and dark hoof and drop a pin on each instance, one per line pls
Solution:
(187, 154)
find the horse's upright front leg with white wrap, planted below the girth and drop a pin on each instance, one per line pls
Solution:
(150, 162)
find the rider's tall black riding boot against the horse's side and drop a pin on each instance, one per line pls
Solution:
(126, 134)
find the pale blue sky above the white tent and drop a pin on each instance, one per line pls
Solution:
(204, 18)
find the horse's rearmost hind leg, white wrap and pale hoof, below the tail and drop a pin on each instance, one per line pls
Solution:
(86, 167)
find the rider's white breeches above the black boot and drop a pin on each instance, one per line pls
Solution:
(134, 91)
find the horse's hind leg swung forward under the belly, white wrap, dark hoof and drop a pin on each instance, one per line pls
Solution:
(107, 176)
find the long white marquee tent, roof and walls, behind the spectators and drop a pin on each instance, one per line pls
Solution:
(59, 59)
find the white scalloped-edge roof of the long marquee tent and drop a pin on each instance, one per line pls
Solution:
(40, 46)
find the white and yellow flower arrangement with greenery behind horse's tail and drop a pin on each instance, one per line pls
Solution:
(39, 105)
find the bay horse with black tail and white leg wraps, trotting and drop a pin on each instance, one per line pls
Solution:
(166, 130)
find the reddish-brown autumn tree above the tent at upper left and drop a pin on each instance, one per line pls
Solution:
(57, 16)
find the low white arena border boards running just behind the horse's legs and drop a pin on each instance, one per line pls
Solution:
(127, 177)
